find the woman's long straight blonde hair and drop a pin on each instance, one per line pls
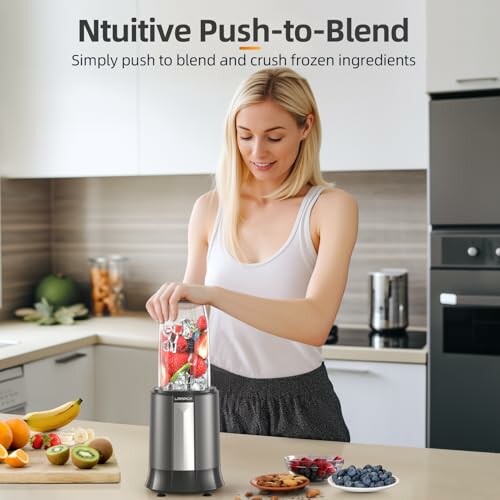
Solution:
(287, 88)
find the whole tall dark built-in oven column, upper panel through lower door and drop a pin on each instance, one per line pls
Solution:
(464, 277)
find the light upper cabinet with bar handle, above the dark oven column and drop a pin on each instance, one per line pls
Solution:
(463, 43)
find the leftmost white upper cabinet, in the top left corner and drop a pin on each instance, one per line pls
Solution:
(60, 119)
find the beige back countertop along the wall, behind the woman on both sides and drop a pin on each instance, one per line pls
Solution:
(138, 330)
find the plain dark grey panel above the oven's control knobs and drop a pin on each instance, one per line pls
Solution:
(464, 172)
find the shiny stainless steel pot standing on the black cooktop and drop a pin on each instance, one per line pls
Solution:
(389, 300)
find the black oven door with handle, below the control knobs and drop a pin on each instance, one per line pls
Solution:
(464, 367)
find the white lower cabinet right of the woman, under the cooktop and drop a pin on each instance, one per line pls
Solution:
(382, 403)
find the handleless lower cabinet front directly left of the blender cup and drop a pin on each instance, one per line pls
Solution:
(125, 377)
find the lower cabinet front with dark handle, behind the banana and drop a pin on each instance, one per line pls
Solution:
(54, 380)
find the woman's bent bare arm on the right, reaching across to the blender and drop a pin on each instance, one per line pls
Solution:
(307, 320)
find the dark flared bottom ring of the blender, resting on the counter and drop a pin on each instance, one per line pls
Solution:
(199, 481)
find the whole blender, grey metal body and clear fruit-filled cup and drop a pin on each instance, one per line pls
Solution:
(184, 450)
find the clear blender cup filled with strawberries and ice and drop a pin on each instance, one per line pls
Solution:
(183, 363)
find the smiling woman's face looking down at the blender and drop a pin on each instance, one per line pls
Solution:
(269, 139)
